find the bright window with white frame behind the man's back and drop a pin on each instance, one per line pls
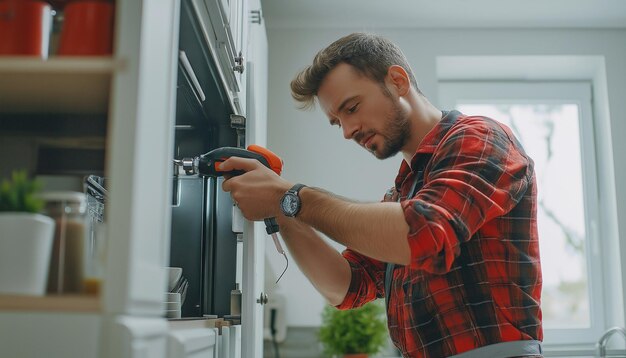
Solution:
(554, 124)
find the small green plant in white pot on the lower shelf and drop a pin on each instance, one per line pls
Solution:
(25, 237)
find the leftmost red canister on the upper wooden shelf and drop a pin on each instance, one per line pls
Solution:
(25, 27)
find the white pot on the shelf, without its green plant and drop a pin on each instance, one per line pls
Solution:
(25, 249)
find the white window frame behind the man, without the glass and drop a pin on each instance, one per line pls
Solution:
(451, 93)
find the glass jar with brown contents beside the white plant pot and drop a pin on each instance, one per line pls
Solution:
(68, 209)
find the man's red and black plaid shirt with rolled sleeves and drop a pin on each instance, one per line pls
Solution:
(475, 276)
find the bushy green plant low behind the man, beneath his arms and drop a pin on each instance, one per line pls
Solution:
(353, 333)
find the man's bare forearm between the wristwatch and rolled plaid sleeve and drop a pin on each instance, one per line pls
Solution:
(377, 230)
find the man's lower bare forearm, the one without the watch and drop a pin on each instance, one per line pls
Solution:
(327, 270)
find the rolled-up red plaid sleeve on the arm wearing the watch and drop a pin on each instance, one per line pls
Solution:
(475, 175)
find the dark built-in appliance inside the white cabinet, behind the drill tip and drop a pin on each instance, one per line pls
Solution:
(202, 240)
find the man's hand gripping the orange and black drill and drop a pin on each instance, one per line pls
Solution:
(258, 191)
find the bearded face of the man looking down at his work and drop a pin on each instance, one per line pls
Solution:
(365, 110)
